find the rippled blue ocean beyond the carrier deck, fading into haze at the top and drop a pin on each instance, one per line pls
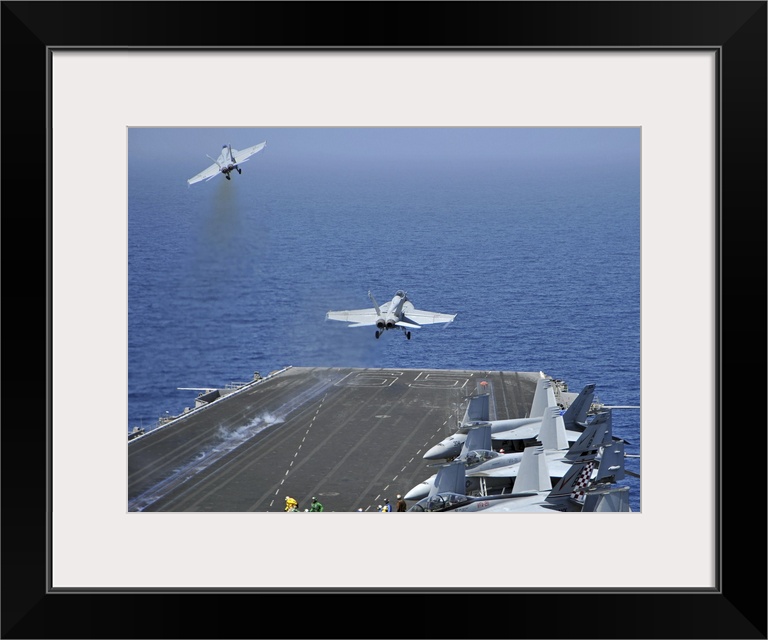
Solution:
(534, 242)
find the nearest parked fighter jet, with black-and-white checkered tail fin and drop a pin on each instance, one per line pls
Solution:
(579, 490)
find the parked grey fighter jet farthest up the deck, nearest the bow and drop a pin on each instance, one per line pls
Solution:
(524, 428)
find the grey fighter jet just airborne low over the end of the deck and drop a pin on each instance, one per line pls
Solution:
(398, 313)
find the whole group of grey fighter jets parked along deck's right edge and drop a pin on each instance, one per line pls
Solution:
(565, 460)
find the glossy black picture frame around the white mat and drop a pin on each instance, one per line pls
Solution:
(736, 609)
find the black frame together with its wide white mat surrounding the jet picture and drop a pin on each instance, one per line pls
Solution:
(690, 78)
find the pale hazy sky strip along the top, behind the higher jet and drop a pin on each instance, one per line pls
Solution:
(189, 146)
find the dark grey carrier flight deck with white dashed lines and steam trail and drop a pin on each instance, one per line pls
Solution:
(350, 437)
